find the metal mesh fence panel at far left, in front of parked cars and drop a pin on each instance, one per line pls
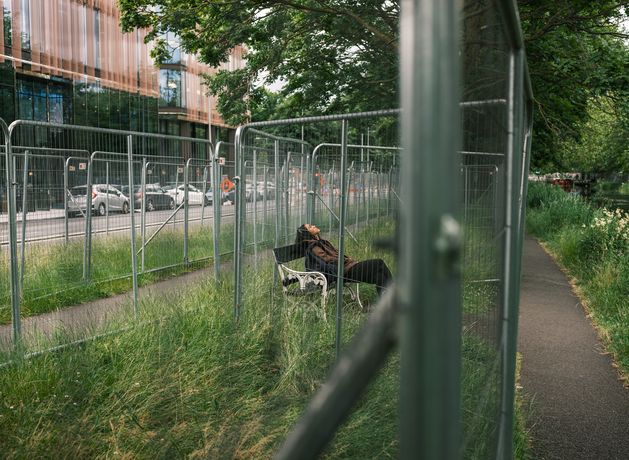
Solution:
(89, 209)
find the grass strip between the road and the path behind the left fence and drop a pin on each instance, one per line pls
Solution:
(53, 275)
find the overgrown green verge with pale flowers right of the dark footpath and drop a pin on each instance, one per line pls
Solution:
(593, 246)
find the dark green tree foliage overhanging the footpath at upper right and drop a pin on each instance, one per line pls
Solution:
(576, 56)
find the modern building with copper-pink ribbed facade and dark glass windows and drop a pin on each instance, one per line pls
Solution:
(67, 61)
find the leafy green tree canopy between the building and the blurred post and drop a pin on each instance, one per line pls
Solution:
(334, 55)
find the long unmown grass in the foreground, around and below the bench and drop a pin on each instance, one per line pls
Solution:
(189, 381)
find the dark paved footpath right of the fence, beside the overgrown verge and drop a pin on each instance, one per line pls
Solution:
(580, 409)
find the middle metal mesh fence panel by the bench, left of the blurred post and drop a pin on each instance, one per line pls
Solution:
(337, 172)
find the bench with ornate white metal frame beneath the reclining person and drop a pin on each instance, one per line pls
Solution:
(300, 282)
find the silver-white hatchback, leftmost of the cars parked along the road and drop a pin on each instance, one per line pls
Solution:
(104, 198)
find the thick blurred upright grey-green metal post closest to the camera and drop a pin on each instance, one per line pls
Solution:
(430, 234)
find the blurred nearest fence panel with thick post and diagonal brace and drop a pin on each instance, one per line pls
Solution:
(454, 308)
